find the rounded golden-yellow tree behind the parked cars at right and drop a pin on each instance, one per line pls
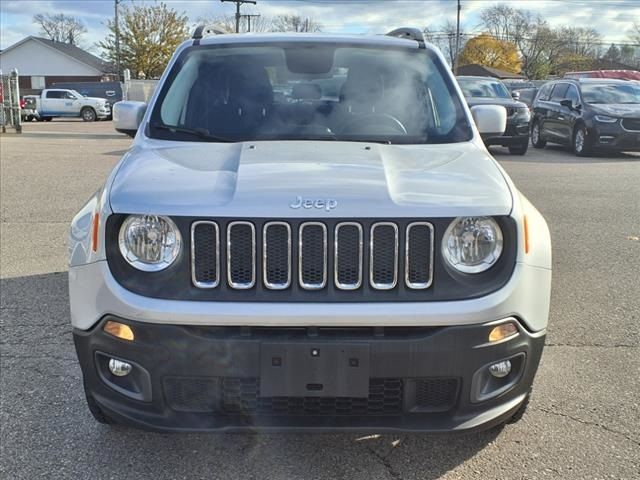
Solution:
(491, 52)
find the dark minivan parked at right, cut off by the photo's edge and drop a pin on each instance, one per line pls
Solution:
(588, 115)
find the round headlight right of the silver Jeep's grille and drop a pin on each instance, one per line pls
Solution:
(472, 244)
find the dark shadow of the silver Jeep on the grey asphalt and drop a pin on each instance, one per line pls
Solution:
(48, 430)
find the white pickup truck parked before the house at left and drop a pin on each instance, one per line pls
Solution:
(56, 102)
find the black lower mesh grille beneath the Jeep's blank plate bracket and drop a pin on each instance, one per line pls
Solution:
(241, 396)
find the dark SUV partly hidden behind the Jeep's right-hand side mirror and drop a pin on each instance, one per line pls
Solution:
(491, 91)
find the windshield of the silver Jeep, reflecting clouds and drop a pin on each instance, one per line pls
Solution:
(307, 91)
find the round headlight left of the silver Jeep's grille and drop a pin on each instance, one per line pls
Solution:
(148, 242)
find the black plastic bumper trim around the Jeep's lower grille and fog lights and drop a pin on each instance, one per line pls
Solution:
(407, 353)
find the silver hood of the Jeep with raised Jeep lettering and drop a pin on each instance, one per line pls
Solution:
(309, 179)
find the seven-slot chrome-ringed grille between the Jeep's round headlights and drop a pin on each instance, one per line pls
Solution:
(318, 255)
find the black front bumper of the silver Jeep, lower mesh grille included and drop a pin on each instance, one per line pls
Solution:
(194, 378)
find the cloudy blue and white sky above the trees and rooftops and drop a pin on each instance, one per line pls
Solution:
(612, 18)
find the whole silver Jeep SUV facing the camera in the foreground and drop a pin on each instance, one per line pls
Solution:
(308, 233)
